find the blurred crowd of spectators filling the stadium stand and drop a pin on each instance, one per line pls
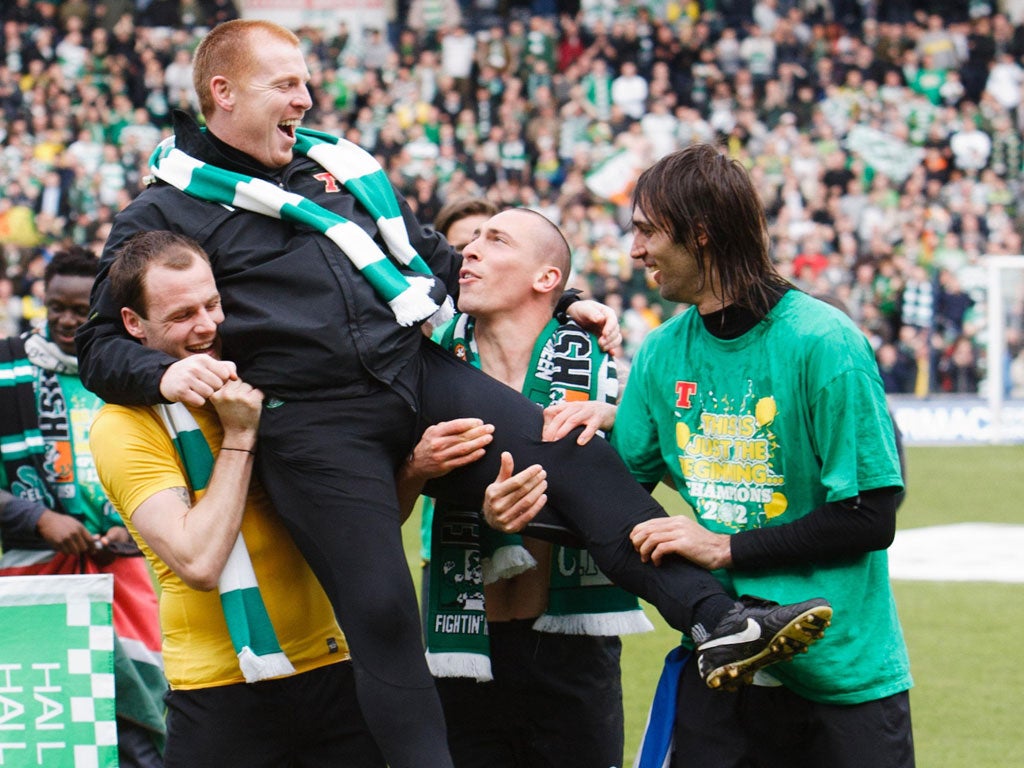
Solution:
(885, 138)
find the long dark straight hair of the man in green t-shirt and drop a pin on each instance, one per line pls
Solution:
(708, 204)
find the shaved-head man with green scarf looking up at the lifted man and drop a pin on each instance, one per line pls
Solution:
(548, 697)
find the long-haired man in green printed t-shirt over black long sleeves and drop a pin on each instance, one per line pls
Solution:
(765, 409)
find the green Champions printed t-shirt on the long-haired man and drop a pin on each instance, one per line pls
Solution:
(760, 431)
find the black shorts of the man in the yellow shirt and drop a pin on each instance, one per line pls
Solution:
(310, 720)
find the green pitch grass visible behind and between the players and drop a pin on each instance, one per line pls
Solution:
(964, 638)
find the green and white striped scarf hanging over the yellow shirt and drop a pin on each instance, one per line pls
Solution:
(249, 625)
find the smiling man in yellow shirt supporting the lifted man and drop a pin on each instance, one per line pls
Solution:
(189, 531)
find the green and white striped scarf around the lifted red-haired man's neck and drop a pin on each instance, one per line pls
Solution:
(359, 173)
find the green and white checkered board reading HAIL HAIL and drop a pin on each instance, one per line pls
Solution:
(57, 672)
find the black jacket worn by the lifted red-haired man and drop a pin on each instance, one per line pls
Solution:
(302, 323)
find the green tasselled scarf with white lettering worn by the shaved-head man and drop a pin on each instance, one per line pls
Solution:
(567, 364)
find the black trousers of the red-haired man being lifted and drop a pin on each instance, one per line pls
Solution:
(330, 466)
